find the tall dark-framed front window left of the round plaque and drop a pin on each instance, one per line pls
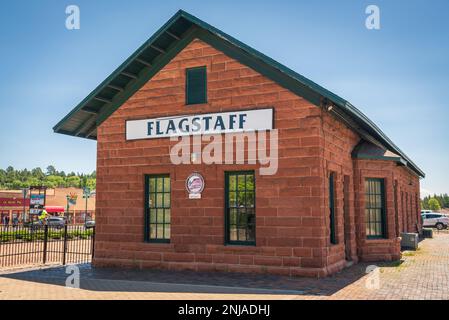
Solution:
(158, 208)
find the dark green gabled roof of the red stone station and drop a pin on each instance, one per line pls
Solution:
(167, 42)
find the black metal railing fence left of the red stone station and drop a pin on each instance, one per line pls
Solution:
(42, 244)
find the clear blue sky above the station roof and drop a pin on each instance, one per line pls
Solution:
(398, 75)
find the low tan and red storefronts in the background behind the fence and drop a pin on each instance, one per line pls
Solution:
(12, 205)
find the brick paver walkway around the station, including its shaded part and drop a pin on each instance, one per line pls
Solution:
(423, 274)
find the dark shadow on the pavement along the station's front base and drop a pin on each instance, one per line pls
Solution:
(130, 280)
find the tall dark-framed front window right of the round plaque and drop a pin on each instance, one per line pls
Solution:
(240, 208)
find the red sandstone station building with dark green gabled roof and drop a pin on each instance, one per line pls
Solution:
(342, 192)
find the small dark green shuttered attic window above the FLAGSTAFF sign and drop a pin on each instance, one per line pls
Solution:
(196, 85)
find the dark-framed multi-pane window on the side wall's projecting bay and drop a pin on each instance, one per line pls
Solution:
(375, 208)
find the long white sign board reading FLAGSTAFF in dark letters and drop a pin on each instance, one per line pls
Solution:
(210, 123)
